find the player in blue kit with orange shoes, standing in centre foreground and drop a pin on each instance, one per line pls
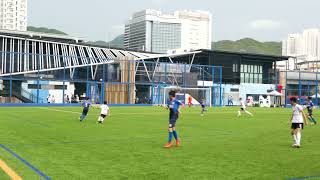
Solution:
(174, 106)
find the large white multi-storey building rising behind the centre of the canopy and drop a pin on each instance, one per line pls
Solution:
(154, 31)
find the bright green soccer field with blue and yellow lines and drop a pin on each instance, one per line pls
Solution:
(130, 144)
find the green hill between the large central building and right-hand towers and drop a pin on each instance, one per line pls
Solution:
(249, 46)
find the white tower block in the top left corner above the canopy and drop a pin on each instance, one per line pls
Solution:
(13, 15)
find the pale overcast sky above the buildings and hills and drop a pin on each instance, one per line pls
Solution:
(265, 20)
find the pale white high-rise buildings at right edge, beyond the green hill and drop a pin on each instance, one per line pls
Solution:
(304, 48)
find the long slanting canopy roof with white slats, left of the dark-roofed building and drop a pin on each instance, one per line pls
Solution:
(28, 52)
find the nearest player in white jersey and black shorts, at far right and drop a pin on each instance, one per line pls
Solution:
(297, 120)
